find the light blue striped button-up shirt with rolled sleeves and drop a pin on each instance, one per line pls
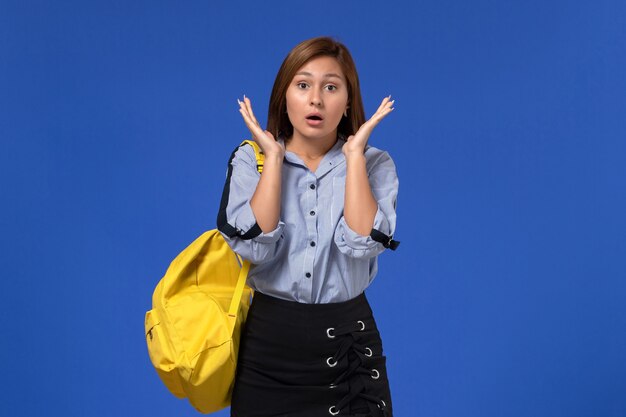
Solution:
(312, 256)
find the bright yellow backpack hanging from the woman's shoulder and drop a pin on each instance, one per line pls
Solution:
(194, 326)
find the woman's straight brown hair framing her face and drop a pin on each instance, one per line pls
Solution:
(278, 121)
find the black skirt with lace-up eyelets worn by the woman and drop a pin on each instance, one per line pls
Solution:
(310, 360)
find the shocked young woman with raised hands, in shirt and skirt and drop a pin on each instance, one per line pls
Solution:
(312, 224)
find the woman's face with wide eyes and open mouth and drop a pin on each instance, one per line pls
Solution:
(317, 98)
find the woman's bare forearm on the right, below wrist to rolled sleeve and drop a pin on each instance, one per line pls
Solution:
(360, 205)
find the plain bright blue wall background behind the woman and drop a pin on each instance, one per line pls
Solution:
(507, 296)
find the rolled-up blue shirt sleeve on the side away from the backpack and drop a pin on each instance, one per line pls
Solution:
(384, 183)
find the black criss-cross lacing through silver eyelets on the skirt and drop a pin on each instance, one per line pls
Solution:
(358, 374)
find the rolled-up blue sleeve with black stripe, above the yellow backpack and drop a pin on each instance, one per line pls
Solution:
(236, 219)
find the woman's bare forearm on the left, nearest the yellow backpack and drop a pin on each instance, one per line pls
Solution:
(265, 202)
